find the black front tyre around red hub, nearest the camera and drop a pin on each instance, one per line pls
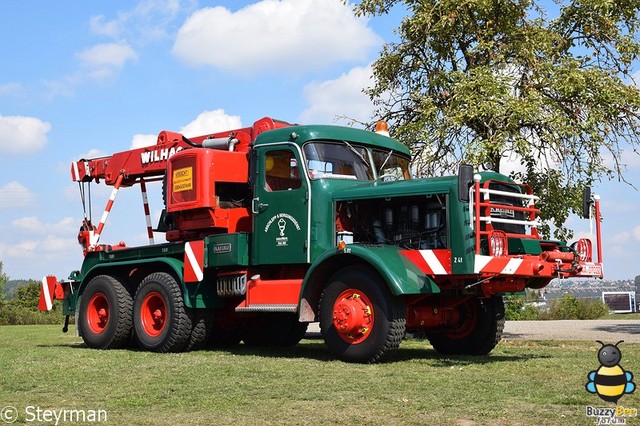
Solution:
(385, 332)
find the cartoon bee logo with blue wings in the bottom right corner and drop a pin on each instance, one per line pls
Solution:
(610, 381)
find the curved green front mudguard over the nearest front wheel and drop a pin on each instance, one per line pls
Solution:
(401, 275)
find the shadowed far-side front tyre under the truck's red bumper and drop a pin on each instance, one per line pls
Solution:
(480, 329)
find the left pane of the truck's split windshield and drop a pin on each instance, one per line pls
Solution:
(337, 160)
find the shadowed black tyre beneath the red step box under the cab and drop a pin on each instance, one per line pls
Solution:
(273, 330)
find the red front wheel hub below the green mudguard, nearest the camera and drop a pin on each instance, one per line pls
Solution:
(353, 316)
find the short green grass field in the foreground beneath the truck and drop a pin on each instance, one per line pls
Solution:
(520, 382)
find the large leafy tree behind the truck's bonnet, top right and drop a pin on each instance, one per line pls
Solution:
(481, 81)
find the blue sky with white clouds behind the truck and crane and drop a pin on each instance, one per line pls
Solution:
(81, 79)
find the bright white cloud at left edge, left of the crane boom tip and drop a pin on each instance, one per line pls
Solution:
(22, 135)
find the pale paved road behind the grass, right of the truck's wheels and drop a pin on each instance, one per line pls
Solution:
(608, 331)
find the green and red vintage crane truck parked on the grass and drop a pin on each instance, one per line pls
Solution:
(271, 227)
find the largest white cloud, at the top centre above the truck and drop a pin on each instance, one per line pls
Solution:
(287, 35)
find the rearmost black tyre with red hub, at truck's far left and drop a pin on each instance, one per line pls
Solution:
(105, 316)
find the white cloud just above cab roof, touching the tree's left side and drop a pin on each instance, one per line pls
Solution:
(342, 96)
